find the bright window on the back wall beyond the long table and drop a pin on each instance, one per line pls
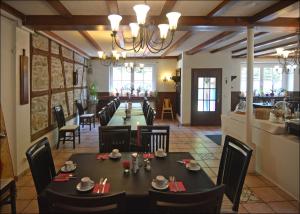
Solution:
(123, 80)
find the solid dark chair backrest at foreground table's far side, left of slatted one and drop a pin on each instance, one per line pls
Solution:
(114, 137)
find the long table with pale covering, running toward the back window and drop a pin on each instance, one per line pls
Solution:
(137, 117)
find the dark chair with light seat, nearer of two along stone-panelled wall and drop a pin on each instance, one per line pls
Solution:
(63, 129)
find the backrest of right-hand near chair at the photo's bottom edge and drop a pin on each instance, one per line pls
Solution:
(209, 201)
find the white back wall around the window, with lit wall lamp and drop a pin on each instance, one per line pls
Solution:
(99, 74)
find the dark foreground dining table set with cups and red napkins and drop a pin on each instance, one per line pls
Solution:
(135, 185)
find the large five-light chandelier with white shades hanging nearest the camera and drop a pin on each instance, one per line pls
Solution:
(142, 33)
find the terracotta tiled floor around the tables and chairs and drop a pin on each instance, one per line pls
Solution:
(259, 195)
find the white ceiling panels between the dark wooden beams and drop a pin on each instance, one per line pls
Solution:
(186, 7)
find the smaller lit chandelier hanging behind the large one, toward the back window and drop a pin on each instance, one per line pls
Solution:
(116, 59)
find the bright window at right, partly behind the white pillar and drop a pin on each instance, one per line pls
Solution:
(267, 78)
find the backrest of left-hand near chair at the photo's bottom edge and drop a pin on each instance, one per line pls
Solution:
(59, 203)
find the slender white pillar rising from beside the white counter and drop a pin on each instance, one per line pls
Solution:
(249, 95)
